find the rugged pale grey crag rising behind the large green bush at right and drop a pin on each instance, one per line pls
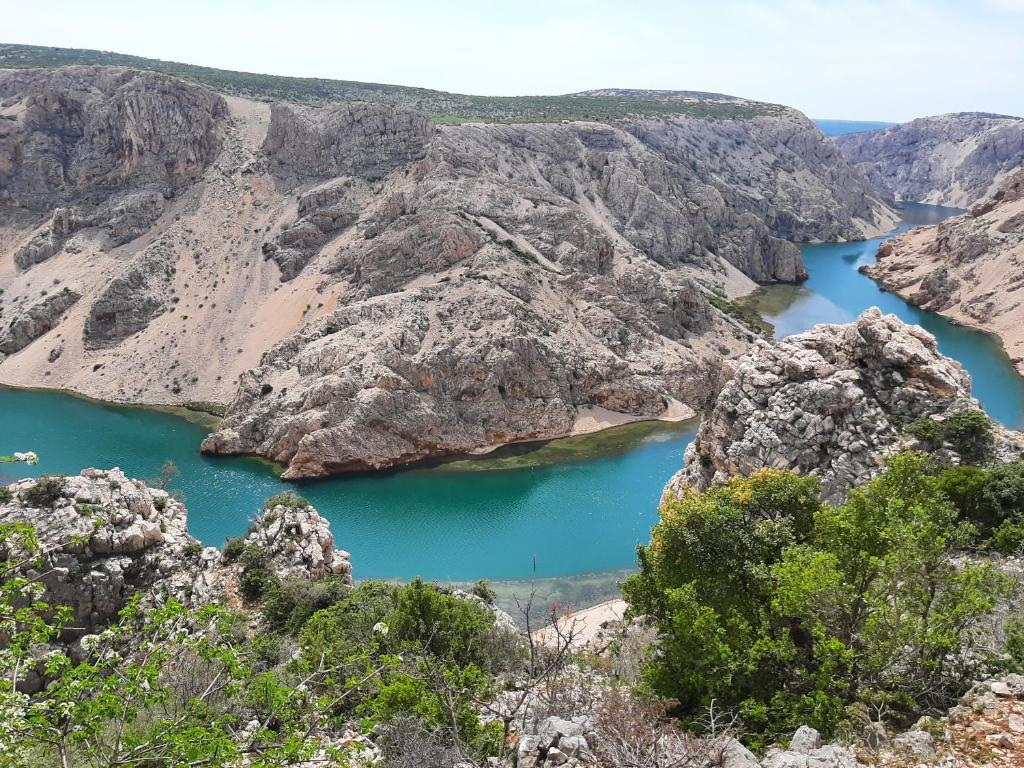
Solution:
(830, 403)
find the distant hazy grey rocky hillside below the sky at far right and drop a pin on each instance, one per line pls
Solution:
(952, 160)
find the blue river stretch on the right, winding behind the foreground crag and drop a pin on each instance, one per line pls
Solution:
(836, 292)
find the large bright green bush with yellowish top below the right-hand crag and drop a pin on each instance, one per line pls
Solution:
(791, 612)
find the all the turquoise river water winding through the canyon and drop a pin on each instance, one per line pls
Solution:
(572, 506)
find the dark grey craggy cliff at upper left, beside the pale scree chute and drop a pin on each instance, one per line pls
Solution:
(84, 133)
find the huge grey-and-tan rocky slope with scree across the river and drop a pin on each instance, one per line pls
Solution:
(366, 287)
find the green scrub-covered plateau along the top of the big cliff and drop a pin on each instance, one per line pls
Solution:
(601, 105)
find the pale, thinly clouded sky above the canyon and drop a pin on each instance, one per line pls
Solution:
(852, 60)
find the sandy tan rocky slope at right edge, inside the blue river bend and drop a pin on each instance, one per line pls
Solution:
(970, 268)
